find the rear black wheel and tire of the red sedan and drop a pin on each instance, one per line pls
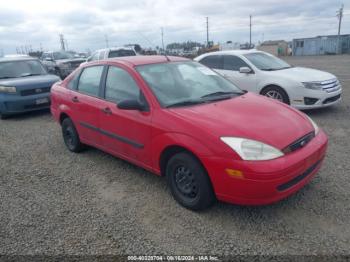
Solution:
(71, 136)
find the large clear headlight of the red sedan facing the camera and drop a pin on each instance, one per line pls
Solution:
(252, 150)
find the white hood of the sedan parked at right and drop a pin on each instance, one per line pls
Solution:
(302, 74)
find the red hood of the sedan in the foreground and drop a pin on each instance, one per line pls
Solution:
(249, 116)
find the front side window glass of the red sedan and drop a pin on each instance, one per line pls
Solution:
(120, 85)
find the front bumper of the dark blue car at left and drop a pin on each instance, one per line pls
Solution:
(14, 104)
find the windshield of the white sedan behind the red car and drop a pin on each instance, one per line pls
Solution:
(266, 62)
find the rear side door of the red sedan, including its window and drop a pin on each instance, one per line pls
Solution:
(85, 101)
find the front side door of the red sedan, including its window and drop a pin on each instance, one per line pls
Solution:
(126, 133)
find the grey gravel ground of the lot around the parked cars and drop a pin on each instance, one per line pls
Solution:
(56, 202)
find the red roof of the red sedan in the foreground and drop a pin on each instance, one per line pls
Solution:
(141, 60)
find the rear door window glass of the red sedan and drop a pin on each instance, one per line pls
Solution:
(89, 81)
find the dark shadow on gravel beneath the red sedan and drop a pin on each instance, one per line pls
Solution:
(161, 191)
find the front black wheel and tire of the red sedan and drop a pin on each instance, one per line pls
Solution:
(189, 182)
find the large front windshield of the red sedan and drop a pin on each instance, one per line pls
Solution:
(186, 83)
